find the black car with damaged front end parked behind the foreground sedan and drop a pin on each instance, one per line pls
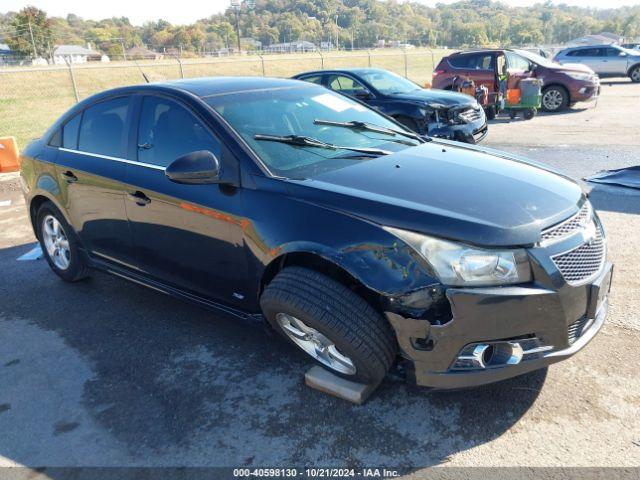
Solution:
(436, 113)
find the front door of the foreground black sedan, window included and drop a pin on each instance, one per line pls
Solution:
(189, 236)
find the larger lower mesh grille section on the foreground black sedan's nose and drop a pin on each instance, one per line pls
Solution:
(584, 262)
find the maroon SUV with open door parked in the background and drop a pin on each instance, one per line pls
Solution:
(563, 85)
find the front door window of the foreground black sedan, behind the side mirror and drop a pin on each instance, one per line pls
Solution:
(168, 131)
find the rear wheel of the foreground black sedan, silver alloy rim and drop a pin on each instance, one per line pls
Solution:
(76, 268)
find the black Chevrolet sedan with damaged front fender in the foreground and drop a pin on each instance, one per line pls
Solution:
(364, 244)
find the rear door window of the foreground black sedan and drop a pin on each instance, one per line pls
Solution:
(102, 128)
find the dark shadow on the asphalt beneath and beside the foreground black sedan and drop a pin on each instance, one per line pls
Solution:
(139, 378)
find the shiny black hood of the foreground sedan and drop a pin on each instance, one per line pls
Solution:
(467, 194)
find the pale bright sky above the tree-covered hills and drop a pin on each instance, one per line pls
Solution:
(189, 11)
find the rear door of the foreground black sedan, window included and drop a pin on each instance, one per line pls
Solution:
(91, 165)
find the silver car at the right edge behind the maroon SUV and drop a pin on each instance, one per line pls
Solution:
(605, 60)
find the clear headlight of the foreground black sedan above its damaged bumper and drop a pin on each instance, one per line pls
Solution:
(459, 264)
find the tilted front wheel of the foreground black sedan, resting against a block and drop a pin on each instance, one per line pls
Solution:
(352, 326)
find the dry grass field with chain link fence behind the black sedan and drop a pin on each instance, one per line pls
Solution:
(32, 98)
